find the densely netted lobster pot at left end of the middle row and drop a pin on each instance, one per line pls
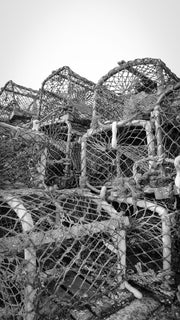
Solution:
(45, 158)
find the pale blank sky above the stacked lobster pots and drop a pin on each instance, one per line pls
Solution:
(90, 36)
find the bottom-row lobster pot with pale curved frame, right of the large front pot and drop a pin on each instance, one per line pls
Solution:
(149, 240)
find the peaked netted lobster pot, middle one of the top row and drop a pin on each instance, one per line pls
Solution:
(65, 91)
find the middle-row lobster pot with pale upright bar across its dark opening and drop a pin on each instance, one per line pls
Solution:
(108, 154)
